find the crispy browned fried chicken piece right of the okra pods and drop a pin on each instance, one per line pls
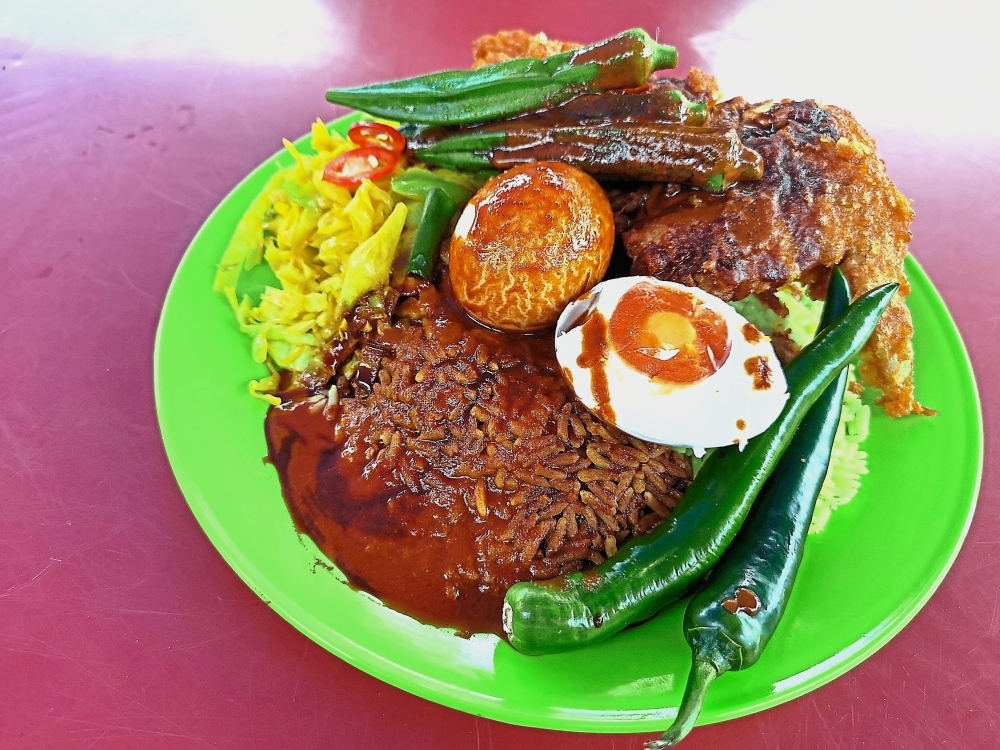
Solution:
(824, 200)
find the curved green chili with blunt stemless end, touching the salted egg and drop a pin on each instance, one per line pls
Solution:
(653, 570)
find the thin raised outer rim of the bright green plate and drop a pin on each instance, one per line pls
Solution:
(445, 693)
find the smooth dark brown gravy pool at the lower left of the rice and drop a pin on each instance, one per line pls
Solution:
(417, 558)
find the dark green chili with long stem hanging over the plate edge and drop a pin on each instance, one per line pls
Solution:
(732, 617)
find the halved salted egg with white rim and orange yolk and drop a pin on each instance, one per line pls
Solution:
(669, 363)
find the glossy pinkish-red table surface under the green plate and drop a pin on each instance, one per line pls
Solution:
(123, 124)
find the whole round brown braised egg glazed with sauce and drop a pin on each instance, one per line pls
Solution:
(530, 241)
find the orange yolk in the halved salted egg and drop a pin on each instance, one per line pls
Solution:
(670, 336)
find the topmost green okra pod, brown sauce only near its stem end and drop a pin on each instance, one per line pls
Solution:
(462, 96)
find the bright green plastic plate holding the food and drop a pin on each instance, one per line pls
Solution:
(863, 578)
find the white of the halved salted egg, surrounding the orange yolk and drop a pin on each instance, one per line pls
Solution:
(697, 415)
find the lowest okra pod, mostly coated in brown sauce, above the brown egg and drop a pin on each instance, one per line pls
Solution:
(710, 158)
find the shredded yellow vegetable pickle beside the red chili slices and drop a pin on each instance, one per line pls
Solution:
(327, 246)
